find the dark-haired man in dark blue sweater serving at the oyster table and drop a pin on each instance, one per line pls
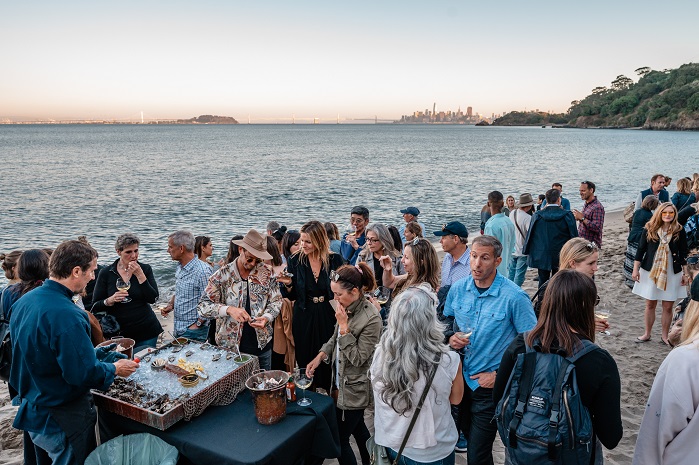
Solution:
(54, 365)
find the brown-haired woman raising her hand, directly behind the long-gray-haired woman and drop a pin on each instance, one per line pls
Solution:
(421, 265)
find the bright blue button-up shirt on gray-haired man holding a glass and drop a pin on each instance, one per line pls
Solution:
(496, 316)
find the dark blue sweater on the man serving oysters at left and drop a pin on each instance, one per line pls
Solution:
(53, 361)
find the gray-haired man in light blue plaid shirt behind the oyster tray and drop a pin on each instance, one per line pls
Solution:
(191, 278)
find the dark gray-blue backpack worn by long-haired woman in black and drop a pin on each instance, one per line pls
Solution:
(541, 418)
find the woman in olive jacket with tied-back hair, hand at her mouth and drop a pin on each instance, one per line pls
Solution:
(349, 352)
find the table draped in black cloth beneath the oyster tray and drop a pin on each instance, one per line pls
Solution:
(231, 435)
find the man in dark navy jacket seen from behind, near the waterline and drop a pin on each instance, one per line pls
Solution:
(551, 227)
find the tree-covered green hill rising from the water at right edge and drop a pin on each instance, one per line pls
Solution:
(667, 99)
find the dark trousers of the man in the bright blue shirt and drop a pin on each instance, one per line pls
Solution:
(477, 411)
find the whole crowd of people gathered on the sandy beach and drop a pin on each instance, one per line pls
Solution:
(309, 298)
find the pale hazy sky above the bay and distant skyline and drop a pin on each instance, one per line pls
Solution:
(271, 59)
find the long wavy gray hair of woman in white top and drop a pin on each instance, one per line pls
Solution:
(408, 346)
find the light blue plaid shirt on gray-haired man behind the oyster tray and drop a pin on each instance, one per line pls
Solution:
(190, 282)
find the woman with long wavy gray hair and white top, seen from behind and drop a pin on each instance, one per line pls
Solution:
(404, 358)
